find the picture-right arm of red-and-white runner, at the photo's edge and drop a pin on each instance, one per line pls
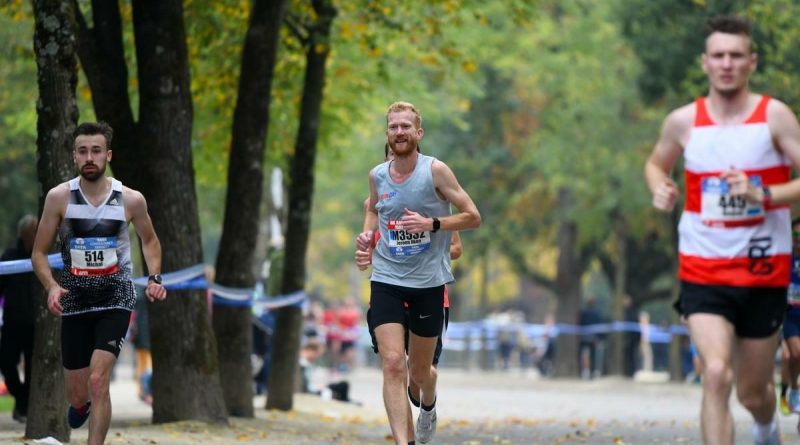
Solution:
(786, 134)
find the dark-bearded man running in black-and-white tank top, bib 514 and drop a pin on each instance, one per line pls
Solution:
(94, 295)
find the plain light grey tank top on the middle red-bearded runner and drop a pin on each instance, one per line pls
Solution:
(400, 258)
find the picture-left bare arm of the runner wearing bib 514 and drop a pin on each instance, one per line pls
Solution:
(52, 214)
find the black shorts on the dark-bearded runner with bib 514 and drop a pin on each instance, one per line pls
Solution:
(82, 333)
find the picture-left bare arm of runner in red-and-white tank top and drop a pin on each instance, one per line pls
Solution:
(665, 154)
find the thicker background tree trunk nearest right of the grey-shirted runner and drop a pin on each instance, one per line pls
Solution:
(567, 287)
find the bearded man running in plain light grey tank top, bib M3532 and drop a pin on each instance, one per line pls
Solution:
(411, 196)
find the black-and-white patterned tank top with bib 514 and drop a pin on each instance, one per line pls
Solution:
(95, 248)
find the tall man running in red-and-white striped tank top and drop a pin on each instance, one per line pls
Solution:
(734, 234)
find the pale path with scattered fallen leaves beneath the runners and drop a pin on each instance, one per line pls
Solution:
(474, 408)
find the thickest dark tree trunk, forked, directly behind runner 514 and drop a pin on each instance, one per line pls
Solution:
(154, 156)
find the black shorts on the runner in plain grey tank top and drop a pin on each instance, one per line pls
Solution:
(425, 311)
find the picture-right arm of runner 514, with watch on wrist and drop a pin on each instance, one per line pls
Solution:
(151, 247)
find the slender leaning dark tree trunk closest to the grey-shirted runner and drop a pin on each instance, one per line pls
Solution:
(289, 323)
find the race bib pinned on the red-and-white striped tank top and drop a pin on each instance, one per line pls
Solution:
(719, 208)
